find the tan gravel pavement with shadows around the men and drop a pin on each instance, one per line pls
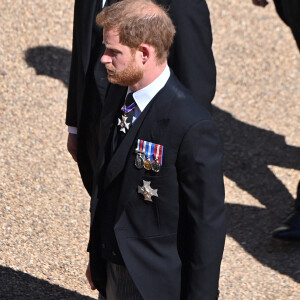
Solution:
(44, 215)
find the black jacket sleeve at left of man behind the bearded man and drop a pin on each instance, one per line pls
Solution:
(71, 114)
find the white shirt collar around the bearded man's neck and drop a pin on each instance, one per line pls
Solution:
(145, 95)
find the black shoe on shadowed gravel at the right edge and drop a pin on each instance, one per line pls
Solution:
(290, 230)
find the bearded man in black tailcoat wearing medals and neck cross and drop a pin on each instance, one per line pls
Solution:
(157, 206)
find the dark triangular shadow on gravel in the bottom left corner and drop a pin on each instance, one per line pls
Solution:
(16, 285)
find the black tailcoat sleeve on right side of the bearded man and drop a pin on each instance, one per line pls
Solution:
(199, 167)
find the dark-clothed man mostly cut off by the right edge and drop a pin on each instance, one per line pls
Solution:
(289, 12)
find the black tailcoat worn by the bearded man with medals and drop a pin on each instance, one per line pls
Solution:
(173, 245)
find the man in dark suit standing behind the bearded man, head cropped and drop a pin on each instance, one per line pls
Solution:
(190, 58)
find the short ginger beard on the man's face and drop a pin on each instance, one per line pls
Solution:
(128, 77)
